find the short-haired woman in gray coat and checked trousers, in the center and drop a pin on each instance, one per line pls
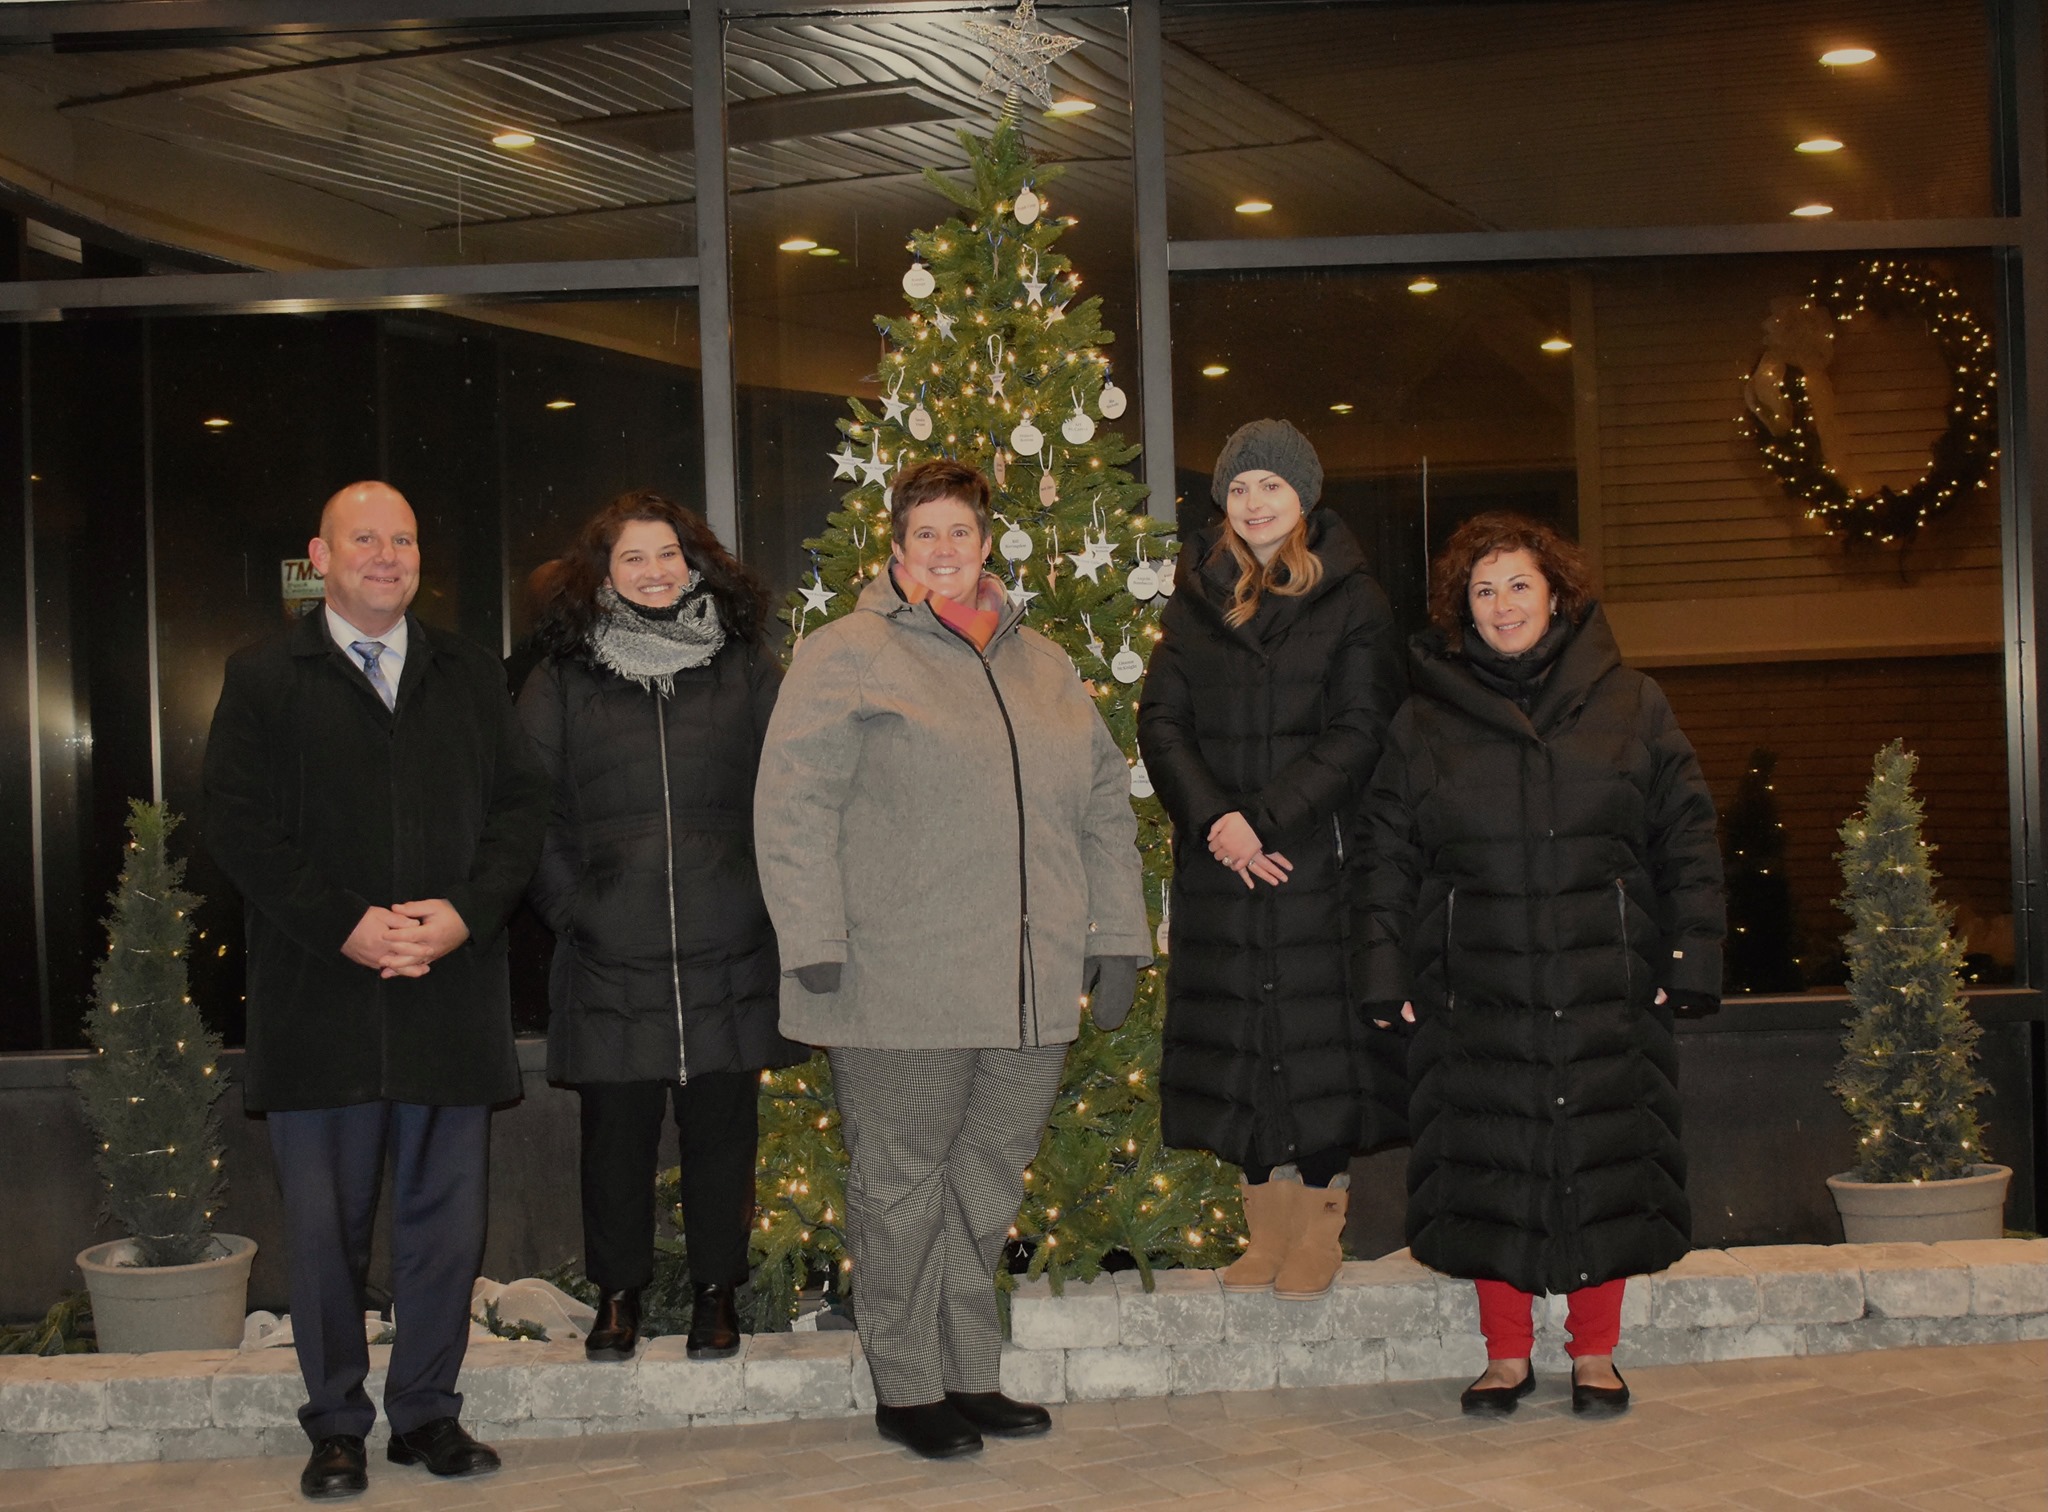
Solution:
(949, 853)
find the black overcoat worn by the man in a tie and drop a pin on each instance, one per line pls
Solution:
(323, 802)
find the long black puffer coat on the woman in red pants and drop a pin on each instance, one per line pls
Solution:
(1535, 882)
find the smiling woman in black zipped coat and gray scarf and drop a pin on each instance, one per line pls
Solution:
(648, 714)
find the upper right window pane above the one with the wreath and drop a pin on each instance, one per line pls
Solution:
(1474, 118)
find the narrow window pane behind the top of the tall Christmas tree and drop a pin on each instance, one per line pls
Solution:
(835, 124)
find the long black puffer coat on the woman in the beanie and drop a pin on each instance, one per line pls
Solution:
(1281, 720)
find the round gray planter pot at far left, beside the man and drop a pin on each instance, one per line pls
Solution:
(140, 1310)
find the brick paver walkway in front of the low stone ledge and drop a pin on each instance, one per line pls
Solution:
(1897, 1429)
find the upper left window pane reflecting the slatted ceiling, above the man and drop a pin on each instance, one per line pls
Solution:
(384, 149)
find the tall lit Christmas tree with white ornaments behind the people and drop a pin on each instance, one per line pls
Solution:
(1000, 364)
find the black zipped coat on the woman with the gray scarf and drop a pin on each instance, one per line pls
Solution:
(665, 956)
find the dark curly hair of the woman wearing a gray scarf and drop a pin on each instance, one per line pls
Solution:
(566, 589)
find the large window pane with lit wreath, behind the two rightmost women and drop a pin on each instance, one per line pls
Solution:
(1629, 405)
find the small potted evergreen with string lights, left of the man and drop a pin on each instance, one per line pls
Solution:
(155, 1075)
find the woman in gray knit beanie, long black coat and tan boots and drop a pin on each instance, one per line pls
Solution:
(1261, 724)
